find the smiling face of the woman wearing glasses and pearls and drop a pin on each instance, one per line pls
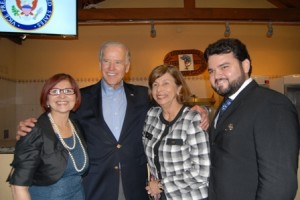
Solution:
(61, 103)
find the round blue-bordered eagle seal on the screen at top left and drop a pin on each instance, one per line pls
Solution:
(27, 14)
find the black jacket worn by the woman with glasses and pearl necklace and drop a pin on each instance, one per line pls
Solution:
(40, 158)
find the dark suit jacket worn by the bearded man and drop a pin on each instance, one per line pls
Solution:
(254, 148)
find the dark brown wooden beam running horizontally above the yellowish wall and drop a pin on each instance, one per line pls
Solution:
(205, 14)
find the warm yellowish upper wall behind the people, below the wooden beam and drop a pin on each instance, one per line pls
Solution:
(38, 59)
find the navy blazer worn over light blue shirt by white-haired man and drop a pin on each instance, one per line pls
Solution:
(105, 152)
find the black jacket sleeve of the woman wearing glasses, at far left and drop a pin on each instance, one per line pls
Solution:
(26, 158)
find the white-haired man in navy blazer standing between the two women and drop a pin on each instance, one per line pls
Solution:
(112, 114)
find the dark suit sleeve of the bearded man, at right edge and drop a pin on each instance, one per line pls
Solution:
(276, 133)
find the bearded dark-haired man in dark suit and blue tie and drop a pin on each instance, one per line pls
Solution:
(255, 141)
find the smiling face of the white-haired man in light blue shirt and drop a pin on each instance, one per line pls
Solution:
(114, 65)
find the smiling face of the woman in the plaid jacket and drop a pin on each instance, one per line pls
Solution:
(165, 91)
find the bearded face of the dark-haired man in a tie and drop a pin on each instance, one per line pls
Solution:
(226, 73)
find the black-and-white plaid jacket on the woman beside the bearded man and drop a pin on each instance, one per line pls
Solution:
(183, 153)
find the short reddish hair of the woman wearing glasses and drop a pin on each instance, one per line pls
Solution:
(51, 82)
